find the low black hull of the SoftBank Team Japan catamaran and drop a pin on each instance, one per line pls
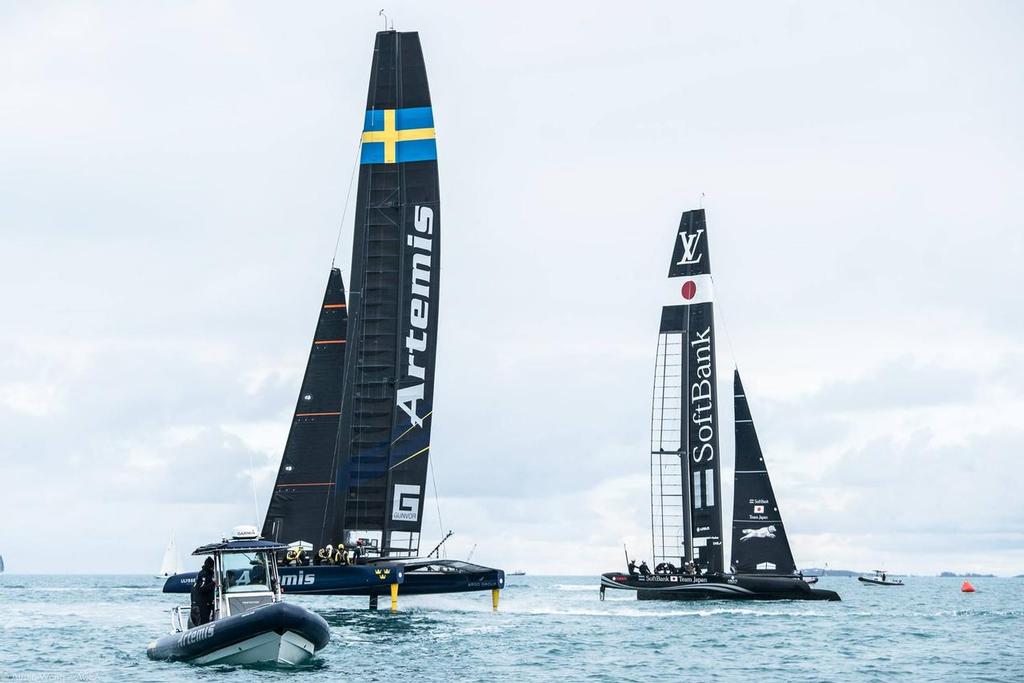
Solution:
(716, 587)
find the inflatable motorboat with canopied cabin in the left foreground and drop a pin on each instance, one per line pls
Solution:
(251, 624)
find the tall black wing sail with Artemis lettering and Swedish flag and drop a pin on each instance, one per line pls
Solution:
(388, 400)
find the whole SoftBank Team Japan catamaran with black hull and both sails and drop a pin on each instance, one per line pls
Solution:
(686, 462)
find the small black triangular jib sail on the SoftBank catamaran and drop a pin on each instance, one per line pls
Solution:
(759, 541)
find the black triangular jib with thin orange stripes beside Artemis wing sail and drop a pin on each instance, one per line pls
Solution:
(301, 502)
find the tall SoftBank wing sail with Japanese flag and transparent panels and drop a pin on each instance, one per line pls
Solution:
(686, 472)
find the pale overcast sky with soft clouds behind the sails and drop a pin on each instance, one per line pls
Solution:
(174, 181)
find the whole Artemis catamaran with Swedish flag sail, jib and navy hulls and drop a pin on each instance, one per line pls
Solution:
(355, 466)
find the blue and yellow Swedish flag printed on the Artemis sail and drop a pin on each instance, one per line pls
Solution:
(396, 137)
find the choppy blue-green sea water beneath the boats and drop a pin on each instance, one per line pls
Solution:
(547, 628)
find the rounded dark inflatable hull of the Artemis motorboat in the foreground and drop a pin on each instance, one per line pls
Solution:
(278, 633)
